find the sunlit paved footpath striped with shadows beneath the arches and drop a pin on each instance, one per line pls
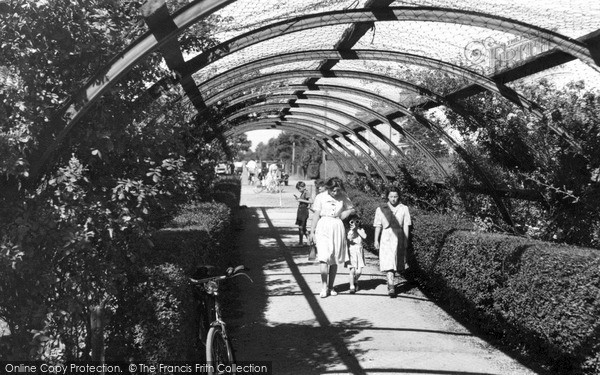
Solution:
(282, 319)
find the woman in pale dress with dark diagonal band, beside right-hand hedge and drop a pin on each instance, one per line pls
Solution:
(392, 222)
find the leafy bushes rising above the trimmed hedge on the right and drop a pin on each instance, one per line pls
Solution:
(521, 151)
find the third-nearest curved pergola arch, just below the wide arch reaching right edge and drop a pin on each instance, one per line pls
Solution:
(363, 55)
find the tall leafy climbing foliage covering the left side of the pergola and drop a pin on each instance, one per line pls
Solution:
(70, 241)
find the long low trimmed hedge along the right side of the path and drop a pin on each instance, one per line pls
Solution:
(537, 298)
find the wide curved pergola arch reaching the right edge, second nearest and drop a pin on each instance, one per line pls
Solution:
(425, 14)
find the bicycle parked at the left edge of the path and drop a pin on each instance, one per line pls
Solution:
(212, 330)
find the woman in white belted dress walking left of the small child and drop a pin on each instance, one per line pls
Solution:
(329, 233)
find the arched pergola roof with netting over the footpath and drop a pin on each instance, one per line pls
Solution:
(316, 68)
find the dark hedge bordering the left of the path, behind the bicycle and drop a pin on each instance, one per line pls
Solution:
(156, 316)
